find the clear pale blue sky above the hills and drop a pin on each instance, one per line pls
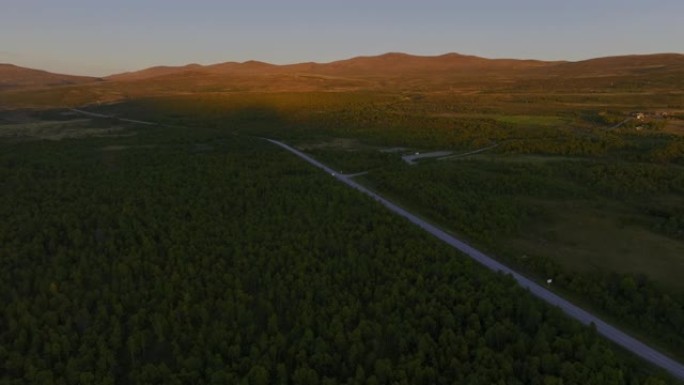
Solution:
(97, 37)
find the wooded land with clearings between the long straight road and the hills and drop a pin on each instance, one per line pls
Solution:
(553, 170)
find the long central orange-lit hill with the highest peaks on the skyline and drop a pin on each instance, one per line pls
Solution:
(388, 71)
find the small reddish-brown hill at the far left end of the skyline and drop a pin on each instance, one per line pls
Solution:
(15, 77)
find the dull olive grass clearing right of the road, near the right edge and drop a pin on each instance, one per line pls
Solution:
(583, 237)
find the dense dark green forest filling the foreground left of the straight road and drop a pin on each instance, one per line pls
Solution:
(195, 256)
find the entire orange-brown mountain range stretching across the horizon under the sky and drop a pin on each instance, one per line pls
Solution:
(391, 70)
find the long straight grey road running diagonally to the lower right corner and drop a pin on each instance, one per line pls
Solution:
(612, 333)
